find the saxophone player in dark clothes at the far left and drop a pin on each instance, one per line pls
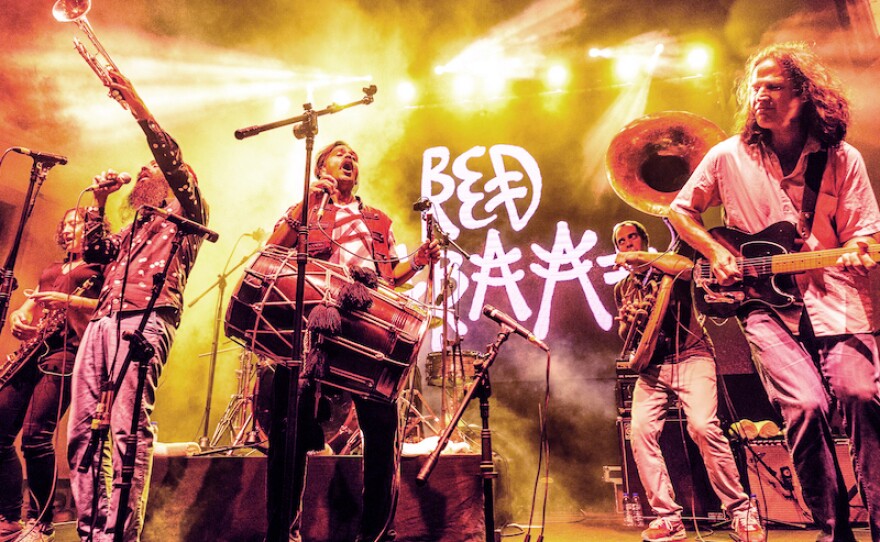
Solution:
(35, 384)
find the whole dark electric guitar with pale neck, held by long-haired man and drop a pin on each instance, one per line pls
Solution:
(767, 261)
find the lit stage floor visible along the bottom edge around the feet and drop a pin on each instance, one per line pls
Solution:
(592, 528)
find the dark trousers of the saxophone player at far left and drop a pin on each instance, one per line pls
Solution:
(32, 403)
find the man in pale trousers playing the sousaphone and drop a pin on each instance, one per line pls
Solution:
(682, 364)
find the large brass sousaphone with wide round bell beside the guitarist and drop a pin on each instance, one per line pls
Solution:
(647, 163)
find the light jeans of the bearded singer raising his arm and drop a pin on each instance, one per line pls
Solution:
(101, 353)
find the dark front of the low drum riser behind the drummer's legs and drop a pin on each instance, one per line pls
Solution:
(193, 499)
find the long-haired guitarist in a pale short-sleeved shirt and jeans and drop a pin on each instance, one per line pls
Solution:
(793, 115)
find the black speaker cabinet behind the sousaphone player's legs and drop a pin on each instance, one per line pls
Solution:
(686, 469)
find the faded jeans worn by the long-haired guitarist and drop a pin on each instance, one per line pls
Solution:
(846, 368)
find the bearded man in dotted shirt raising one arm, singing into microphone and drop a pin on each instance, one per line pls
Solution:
(133, 257)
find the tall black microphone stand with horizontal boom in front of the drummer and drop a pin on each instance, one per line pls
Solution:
(281, 475)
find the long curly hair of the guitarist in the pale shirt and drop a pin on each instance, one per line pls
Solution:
(825, 113)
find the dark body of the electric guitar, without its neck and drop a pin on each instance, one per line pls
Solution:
(757, 286)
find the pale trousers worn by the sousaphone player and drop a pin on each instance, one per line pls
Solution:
(694, 381)
